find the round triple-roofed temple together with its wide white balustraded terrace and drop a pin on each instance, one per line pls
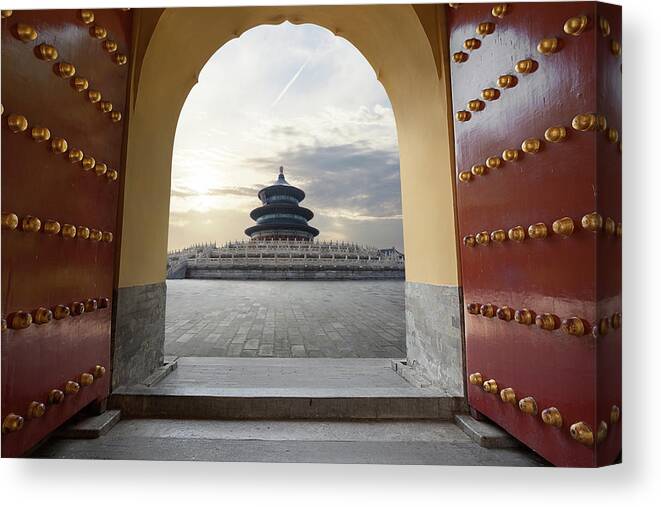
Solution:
(282, 246)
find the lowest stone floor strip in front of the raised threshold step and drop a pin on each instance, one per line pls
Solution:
(400, 442)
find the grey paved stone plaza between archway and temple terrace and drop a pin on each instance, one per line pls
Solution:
(226, 318)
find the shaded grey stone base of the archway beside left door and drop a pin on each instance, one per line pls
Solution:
(138, 332)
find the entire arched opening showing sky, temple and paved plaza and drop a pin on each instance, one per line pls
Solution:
(321, 278)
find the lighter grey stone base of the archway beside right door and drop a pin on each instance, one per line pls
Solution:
(434, 334)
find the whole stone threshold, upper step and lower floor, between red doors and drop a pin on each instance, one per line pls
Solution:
(287, 411)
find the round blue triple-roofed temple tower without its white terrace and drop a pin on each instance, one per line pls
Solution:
(280, 216)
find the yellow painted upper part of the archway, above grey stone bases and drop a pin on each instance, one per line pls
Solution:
(402, 45)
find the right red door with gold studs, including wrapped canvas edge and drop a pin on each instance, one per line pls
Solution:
(536, 92)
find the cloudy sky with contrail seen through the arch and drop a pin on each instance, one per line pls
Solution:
(291, 95)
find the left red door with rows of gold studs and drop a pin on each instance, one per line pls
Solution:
(64, 78)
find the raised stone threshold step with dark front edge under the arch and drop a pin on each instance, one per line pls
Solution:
(240, 388)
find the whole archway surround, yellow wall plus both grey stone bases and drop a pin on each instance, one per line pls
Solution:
(404, 45)
